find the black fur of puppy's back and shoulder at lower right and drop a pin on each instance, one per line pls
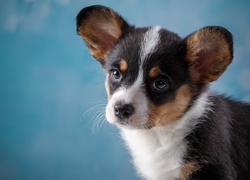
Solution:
(221, 143)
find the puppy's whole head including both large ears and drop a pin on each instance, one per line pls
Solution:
(152, 75)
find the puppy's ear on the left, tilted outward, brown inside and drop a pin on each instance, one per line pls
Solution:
(101, 28)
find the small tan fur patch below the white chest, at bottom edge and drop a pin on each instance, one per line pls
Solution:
(187, 169)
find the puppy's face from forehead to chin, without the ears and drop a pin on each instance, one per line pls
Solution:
(143, 78)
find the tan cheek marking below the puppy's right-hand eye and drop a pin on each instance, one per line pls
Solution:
(171, 111)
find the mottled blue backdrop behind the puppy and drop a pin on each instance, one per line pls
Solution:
(52, 96)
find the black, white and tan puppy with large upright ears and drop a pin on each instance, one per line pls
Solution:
(157, 86)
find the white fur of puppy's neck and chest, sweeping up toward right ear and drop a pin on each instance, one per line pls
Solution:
(158, 152)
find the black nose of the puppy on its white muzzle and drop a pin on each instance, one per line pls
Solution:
(123, 111)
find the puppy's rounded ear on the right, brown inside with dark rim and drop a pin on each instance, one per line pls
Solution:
(209, 52)
